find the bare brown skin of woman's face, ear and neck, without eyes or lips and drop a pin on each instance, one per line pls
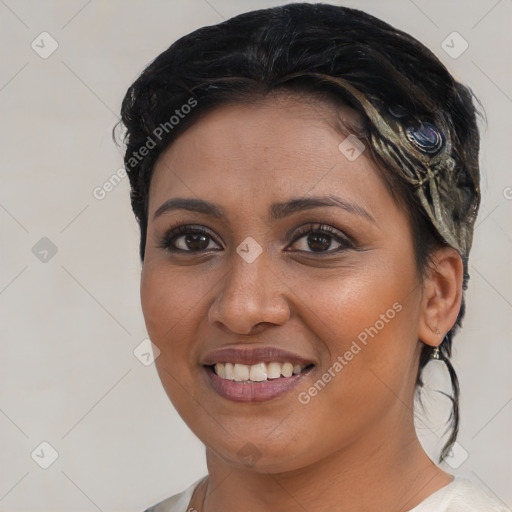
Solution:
(353, 446)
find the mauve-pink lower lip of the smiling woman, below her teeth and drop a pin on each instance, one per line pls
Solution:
(253, 391)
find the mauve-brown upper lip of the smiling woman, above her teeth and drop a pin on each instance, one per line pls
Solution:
(253, 355)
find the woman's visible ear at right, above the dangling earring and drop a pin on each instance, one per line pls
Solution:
(442, 295)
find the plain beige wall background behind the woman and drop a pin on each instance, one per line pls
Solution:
(69, 325)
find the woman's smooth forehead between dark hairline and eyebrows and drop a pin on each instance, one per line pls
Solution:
(284, 145)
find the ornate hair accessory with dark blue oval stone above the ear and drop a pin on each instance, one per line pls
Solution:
(421, 152)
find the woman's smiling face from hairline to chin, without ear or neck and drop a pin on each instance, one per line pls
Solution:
(245, 286)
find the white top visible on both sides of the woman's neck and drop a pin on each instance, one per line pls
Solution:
(461, 495)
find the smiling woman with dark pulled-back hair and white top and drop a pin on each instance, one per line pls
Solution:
(306, 183)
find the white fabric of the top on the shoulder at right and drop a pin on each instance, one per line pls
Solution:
(461, 495)
